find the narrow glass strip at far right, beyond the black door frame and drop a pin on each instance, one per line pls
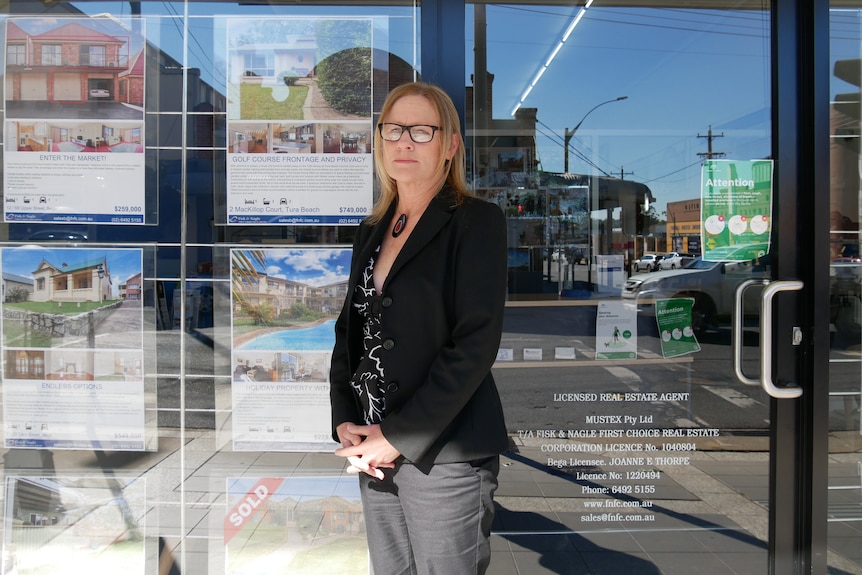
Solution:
(845, 383)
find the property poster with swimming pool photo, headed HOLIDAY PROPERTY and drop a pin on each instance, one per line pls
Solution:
(284, 305)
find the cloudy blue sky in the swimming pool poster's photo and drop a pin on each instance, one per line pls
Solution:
(314, 267)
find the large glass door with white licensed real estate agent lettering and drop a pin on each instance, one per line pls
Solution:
(632, 152)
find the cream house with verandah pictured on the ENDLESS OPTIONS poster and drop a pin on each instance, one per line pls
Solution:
(87, 281)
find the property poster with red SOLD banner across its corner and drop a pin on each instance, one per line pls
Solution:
(308, 525)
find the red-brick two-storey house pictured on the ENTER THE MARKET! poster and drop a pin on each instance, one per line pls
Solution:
(71, 63)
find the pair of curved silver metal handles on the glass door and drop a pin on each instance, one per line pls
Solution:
(769, 292)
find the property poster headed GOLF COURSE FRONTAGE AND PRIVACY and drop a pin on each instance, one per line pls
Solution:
(299, 120)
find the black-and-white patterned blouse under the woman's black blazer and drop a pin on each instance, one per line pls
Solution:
(367, 382)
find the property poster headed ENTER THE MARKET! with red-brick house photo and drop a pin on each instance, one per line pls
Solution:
(74, 97)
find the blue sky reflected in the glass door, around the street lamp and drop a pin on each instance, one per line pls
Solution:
(682, 70)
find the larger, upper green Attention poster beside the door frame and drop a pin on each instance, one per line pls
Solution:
(736, 209)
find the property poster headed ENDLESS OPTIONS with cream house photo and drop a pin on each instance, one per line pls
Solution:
(72, 348)
